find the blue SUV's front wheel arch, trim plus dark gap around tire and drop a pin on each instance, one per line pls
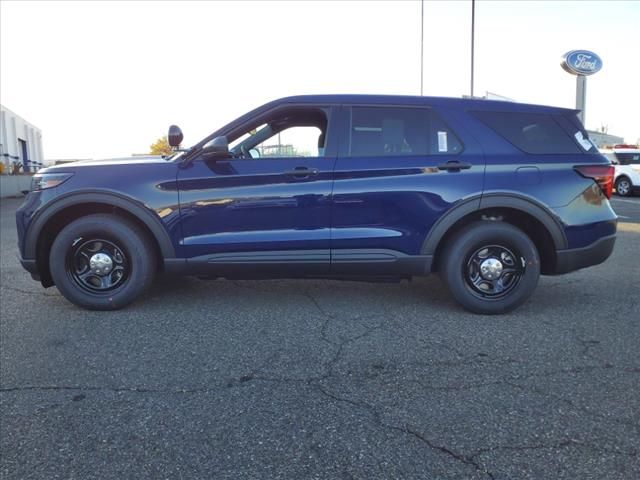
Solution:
(50, 221)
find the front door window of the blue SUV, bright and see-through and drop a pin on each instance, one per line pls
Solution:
(295, 132)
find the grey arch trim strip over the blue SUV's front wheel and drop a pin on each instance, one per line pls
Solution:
(136, 208)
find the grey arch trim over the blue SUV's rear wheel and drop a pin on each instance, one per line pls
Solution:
(495, 200)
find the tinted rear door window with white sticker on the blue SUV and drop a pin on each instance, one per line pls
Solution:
(397, 131)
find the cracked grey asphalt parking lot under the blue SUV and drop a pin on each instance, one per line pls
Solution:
(323, 379)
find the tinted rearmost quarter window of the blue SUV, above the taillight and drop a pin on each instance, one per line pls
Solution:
(531, 132)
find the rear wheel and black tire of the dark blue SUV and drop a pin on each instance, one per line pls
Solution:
(469, 269)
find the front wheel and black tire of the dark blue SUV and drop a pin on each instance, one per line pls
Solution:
(102, 262)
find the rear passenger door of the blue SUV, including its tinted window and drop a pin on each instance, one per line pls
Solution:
(400, 169)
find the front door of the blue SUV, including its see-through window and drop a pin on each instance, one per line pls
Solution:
(265, 209)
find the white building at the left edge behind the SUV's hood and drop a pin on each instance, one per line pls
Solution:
(20, 141)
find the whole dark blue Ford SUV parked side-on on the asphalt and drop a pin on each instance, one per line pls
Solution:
(488, 194)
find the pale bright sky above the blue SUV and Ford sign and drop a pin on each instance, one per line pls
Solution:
(106, 79)
